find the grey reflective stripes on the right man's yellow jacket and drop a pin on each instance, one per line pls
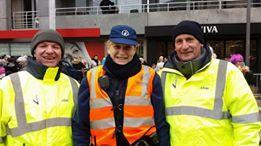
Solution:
(217, 112)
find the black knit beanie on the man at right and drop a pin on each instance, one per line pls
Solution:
(189, 27)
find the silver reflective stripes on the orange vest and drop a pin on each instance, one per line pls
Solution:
(129, 100)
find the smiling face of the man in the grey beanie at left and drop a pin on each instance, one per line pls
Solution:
(48, 53)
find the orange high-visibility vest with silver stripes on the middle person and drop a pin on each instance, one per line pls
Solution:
(138, 111)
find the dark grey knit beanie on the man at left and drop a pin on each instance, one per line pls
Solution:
(47, 35)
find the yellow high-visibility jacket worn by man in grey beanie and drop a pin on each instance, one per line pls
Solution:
(37, 112)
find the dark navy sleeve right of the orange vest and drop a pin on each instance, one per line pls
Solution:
(159, 112)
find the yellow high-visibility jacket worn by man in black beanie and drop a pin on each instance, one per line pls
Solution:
(215, 107)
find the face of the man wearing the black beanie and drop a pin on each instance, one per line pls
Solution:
(187, 47)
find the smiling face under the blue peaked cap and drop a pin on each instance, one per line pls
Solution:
(121, 53)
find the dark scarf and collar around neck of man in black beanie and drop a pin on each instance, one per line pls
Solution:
(190, 67)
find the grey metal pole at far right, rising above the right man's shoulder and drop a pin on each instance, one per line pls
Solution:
(248, 16)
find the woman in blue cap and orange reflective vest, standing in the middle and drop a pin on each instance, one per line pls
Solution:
(120, 103)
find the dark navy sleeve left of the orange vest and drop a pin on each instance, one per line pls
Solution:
(81, 121)
